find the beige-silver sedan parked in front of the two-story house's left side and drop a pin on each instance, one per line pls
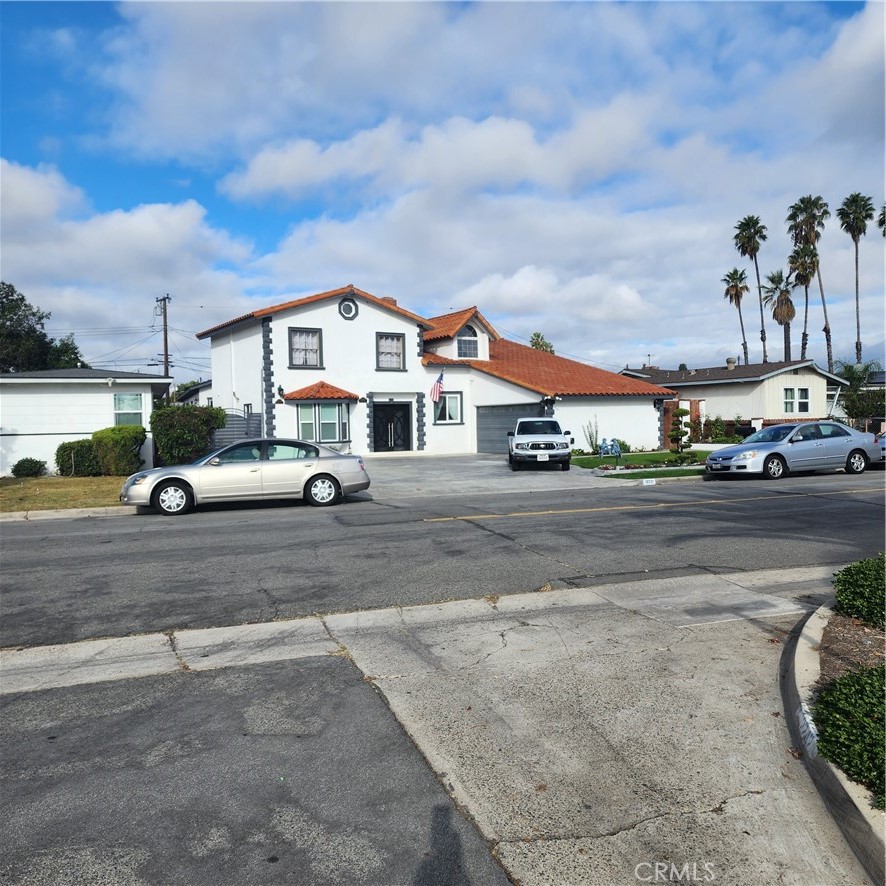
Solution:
(249, 470)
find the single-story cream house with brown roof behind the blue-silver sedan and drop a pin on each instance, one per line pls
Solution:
(756, 392)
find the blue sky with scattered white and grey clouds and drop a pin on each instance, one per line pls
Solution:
(570, 168)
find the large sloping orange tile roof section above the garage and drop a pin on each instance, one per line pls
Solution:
(553, 376)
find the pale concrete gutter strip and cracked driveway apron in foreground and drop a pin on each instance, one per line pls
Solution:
(595, 736)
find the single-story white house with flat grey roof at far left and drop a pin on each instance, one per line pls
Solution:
(41, 410)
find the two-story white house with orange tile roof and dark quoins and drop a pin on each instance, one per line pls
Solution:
(358, 373)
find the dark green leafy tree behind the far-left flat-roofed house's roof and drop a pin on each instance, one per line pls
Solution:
(24, 345)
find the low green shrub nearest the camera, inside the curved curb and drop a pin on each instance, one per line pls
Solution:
(849, 715)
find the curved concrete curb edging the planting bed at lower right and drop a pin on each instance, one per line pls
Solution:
(850, 805)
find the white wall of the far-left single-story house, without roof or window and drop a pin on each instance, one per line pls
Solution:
(36, 417)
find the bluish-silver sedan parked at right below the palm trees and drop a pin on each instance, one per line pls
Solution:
(777, 450)
